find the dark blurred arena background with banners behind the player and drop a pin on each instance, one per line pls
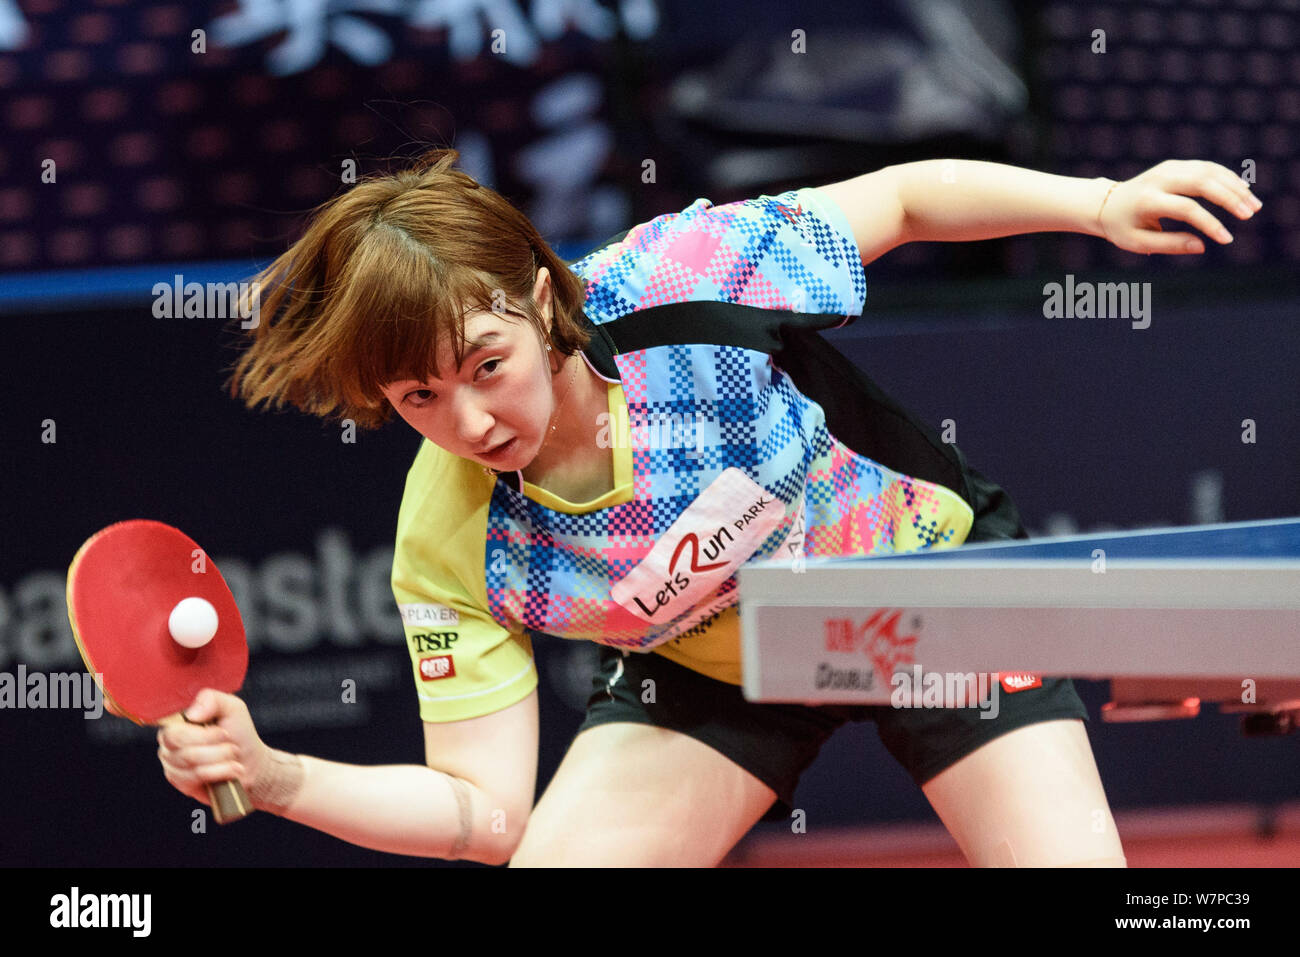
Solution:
(142, 140)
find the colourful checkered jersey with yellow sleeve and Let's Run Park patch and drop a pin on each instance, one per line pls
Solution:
(736, 434)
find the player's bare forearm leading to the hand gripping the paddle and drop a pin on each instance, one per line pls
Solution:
(401, 809)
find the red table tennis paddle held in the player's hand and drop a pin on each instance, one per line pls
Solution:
(123, 587)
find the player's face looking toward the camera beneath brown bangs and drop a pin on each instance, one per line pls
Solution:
(496, 409)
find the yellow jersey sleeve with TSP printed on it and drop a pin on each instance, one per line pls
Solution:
(466, 664)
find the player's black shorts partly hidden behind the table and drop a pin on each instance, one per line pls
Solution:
(778, 743)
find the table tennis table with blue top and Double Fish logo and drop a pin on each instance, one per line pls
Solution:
(1172, 617)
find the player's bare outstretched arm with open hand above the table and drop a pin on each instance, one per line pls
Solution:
(959, 201)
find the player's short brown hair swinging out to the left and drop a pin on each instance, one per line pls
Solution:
(380, 275)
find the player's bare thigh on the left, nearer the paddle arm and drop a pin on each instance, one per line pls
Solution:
(630, 795)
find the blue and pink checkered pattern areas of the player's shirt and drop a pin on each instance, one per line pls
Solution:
(774, 253)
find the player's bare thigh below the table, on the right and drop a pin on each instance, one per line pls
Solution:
(1033, 799)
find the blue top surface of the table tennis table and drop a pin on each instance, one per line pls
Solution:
(1272, 539)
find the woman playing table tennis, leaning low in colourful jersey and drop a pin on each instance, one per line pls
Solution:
(532, 512)
